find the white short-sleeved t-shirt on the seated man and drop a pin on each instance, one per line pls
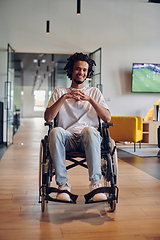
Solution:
(74, 116)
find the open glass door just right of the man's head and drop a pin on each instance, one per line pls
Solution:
(96, 78)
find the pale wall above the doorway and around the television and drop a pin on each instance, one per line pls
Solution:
(127, 31)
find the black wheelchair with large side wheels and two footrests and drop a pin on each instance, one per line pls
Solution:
(109, 168)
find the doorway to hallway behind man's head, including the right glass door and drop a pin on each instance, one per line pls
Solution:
(45, 72)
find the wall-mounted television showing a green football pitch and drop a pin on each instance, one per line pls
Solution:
(145, 78)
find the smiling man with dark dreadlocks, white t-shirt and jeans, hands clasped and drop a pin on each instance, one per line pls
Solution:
(77, 109)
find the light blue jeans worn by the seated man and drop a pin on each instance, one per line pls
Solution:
(89, 140)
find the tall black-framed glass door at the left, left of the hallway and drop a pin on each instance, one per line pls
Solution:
(9, 96)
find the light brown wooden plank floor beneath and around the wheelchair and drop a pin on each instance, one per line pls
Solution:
(138, 211)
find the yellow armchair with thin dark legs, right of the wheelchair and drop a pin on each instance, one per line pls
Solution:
(127, 128)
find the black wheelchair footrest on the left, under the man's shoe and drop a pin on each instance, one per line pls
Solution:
(73, 197)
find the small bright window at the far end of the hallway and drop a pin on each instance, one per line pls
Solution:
(39, 100)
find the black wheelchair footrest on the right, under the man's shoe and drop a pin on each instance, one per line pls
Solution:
(111, 190)
